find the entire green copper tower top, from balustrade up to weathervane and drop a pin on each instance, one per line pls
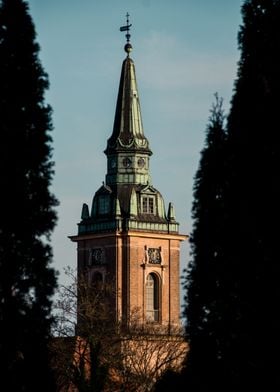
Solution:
(127, 199)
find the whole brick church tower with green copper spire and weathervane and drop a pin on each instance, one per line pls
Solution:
(127, 237)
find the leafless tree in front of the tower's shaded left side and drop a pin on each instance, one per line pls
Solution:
(83, 351)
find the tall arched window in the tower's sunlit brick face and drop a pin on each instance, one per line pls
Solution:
(152, 298)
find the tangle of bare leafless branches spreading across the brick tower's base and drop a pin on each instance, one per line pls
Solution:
(100, 355)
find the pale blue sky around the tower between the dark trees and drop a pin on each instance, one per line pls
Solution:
(184, 52)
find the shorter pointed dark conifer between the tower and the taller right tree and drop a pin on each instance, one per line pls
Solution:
(205, 297)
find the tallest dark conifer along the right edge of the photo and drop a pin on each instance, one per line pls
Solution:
(254, 208)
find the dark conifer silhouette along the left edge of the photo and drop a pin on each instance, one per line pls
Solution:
(27, 215)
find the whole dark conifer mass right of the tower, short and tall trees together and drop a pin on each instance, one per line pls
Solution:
(233, 280)
